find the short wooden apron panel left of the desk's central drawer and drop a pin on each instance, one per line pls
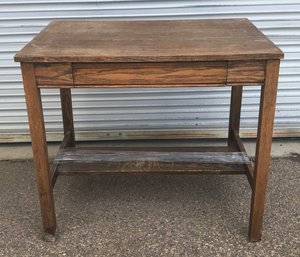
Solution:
(53, 73)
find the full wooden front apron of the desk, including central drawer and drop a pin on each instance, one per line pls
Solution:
(163, 74)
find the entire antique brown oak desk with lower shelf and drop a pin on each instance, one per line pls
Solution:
(115, 54)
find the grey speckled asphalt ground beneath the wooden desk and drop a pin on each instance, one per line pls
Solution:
(150, 216)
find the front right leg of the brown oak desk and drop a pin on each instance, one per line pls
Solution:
(263, 149)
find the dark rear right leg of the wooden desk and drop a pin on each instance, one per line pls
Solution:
(235, 113)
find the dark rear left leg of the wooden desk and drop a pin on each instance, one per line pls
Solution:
(67, 113)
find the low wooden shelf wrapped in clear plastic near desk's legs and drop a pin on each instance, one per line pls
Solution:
(93, 161)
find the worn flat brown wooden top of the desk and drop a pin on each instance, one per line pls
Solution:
(149, 41)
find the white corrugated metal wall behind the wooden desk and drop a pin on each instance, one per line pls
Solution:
(123, 113)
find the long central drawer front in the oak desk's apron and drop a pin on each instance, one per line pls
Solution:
(168, 73)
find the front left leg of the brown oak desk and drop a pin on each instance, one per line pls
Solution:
(39, 147)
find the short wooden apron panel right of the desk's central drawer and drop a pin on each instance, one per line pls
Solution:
(246, 72)
